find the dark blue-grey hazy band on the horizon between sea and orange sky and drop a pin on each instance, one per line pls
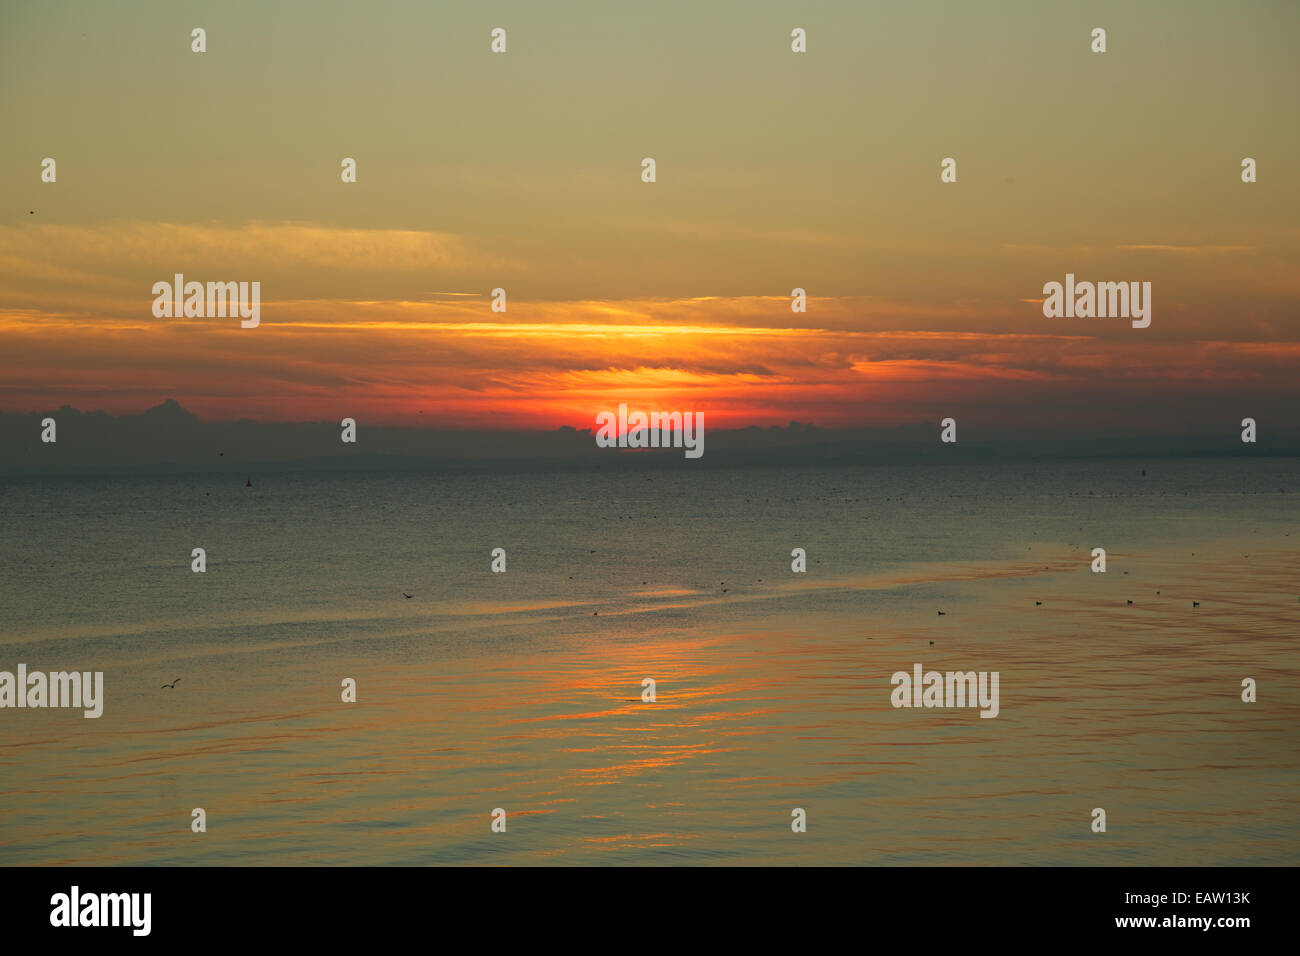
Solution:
(168, 439)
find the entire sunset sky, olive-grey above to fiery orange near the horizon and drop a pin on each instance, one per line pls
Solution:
(774, 171)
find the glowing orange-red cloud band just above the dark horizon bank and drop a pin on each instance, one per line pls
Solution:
(560, 364)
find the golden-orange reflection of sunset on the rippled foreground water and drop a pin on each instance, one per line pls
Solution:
(1134, 708)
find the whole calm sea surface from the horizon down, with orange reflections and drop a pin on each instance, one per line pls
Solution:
(523, 690)
